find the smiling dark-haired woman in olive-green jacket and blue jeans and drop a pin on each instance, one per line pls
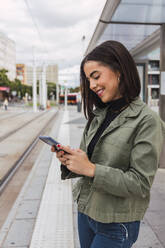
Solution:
(119, 152)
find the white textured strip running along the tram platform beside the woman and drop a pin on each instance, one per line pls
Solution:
(54, 224)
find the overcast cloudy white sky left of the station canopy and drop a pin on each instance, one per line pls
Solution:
(51, 30)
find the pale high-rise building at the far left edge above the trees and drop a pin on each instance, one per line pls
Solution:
(8, 56)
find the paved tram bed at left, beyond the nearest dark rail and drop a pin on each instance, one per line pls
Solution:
(12, 147)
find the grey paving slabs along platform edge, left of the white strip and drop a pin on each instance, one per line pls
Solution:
(17, 230)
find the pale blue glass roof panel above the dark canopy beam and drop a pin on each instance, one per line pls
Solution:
(146, 11)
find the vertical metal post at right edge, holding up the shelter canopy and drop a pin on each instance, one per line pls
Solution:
(162, 73)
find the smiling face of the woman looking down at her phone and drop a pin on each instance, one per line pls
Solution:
(103, 81)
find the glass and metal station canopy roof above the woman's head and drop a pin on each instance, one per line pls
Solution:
(129, 21)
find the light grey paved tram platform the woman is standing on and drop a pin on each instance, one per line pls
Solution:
(44, 215)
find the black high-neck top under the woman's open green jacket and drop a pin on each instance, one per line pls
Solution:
(114, 109)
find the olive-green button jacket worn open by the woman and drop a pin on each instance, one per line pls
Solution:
(126, 158)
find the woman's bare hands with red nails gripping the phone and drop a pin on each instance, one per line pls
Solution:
(76, 161)
